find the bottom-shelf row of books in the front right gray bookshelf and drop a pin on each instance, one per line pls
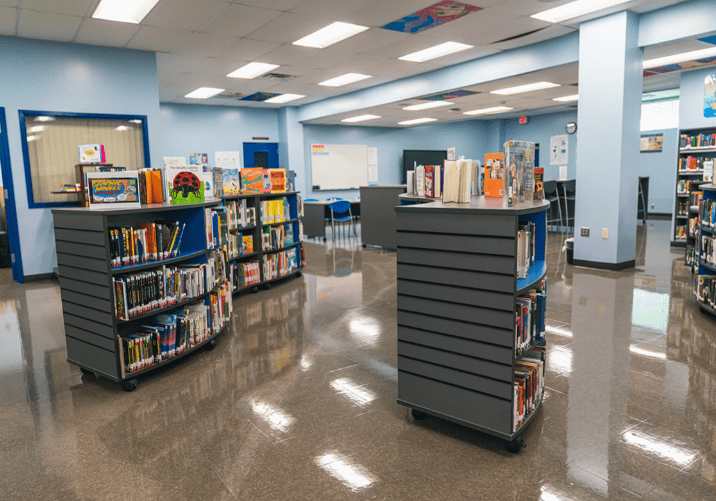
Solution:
(528, 387)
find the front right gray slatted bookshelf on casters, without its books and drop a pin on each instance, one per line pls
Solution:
(457, 298)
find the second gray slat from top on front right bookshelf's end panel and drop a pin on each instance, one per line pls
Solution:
(460, 243)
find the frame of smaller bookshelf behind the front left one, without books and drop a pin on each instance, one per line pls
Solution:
(293, 219)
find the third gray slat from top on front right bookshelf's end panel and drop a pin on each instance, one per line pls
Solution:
(461, 261)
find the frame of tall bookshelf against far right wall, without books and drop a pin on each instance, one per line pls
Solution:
(690, 145)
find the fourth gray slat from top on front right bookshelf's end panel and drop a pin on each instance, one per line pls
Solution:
(461, 278)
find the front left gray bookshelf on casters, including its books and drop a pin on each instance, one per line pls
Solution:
(96, 330)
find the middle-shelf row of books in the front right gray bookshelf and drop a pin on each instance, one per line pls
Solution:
(530, 318)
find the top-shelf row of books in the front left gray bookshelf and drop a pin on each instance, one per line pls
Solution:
(145, 242)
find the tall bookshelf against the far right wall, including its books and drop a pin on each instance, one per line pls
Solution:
(697, 151)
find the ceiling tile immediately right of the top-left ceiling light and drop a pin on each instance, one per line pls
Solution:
(184, 14)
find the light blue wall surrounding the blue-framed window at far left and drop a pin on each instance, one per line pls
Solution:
(51, 76)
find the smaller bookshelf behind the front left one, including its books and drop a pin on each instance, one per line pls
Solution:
(266, 220)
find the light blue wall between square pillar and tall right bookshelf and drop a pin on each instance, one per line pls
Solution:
(661, 169)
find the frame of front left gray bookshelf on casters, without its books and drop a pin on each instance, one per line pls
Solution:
(92, 329)
